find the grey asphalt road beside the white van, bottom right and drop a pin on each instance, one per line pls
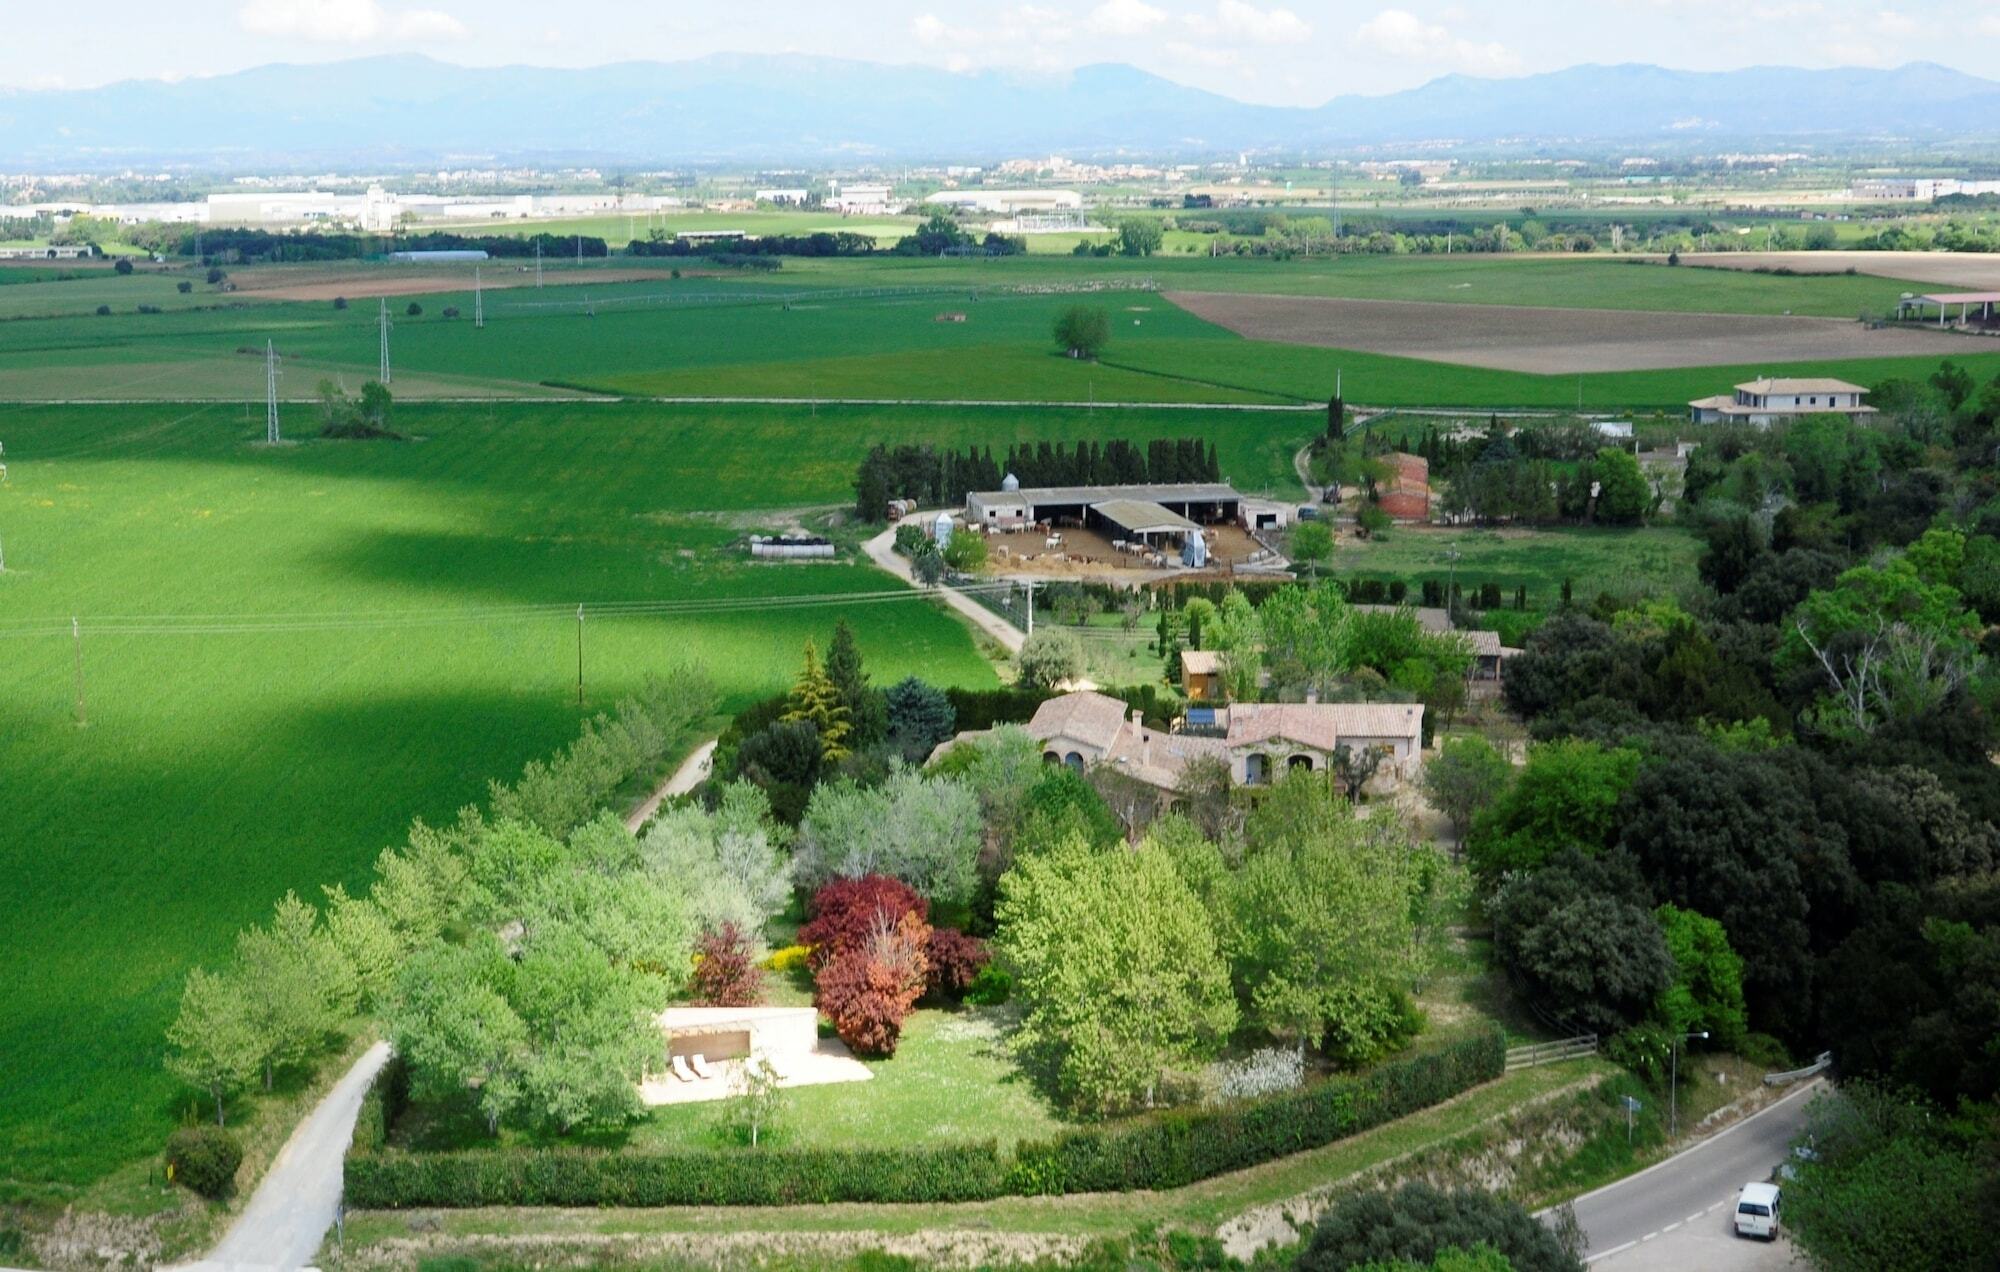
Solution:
(1679, 1215)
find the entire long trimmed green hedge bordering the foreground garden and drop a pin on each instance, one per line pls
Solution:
(1165, 1151)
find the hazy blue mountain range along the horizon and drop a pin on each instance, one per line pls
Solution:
(795, 109)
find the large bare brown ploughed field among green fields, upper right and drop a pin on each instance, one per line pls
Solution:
(1547, 341)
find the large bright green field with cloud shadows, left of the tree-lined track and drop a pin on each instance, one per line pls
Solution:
(223, 767)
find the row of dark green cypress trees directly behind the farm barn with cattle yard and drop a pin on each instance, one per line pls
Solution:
(945, 477)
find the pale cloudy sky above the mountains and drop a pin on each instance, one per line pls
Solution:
(1295, 53)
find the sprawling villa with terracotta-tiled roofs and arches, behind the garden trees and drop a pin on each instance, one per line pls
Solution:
(1259, 741)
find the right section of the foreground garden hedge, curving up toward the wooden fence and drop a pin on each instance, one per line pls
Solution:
(1185, 1147)
